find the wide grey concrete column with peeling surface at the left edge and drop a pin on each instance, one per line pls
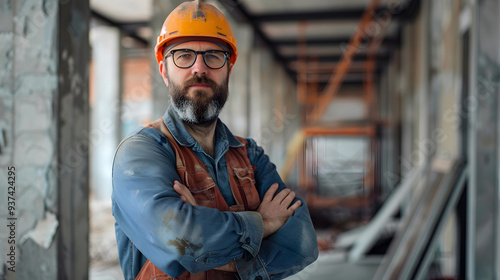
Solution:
(44, 112)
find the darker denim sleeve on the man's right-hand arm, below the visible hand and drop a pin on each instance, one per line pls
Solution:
(294, 245)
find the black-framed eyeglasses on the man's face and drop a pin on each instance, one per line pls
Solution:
(185, 58)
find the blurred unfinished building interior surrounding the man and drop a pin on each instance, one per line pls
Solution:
(381, 114)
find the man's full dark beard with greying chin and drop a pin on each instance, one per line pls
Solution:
(201, 110)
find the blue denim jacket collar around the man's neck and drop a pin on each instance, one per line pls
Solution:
(223, 136)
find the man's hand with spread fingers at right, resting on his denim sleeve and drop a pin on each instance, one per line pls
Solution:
(276, 211)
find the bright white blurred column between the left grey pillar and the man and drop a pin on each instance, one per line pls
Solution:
(105, 123)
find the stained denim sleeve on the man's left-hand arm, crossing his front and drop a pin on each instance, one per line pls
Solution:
(170, 233)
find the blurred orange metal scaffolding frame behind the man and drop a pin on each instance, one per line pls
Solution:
(315, 105)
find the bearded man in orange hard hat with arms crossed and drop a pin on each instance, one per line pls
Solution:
(192, 201)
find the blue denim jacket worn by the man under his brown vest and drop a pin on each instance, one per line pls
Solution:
(152, 221)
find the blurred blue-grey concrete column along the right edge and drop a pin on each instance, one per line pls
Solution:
(483, 196)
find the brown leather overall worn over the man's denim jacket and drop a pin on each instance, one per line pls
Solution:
(196, 177)
